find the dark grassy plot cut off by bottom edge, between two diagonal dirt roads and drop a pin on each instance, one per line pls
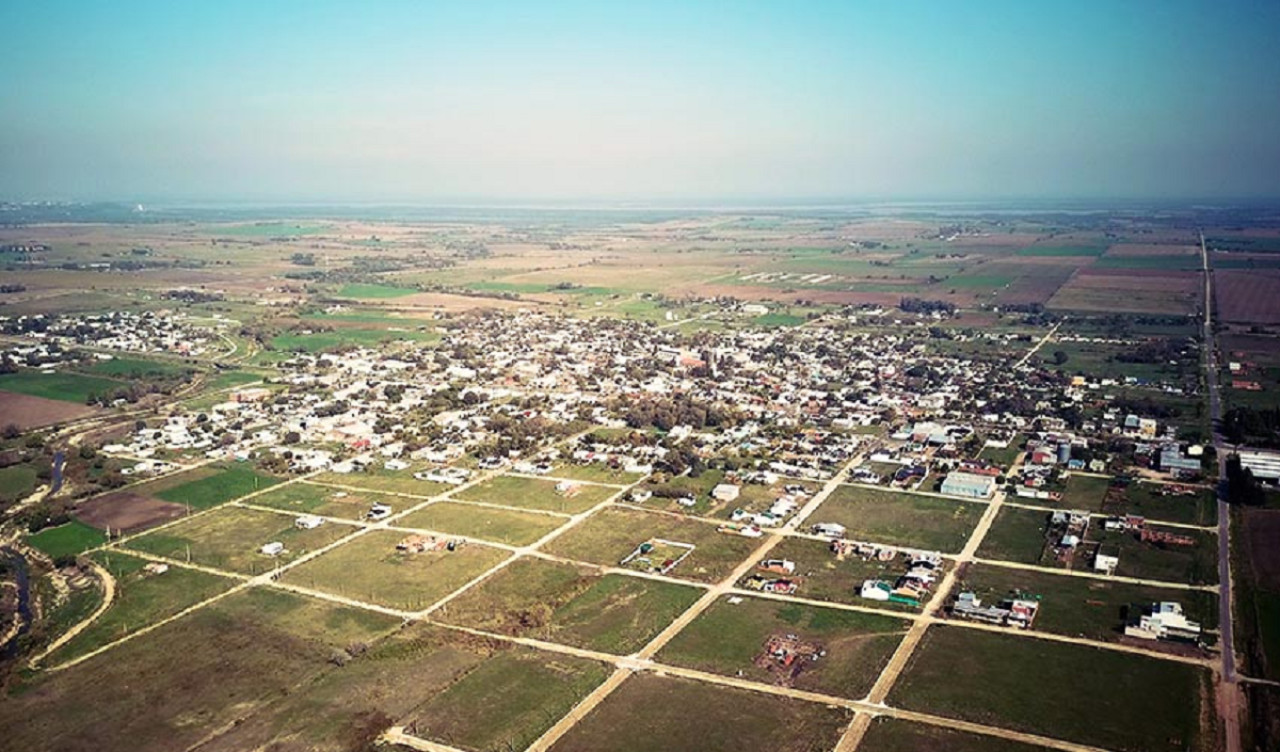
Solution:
(679, 716)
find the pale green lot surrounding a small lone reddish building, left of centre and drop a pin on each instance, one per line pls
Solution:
(371, 570)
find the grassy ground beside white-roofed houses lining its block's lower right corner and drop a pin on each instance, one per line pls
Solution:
(824, 577)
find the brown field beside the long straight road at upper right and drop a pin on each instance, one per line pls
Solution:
(1132, 291)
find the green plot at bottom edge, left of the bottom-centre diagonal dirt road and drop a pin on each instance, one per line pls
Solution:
(508, 701)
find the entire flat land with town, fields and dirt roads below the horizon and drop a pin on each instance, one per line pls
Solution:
(806, 480)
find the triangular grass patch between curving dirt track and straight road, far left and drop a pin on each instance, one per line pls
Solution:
(141, 600)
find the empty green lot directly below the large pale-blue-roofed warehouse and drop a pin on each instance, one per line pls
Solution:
(904, 520)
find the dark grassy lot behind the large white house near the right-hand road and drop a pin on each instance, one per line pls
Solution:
(1078, 607)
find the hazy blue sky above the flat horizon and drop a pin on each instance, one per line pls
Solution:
(655, 102)
